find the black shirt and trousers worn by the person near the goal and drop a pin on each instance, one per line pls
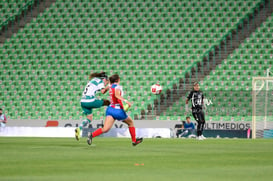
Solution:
(196, 98)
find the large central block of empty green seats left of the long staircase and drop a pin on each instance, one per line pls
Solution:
(146, 42)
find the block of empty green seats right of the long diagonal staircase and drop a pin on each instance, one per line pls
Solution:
(229, 86)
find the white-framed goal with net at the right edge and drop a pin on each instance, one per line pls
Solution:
(262, 107)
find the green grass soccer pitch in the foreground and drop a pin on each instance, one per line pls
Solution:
(114, 159)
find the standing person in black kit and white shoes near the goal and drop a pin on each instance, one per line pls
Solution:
(196, 96)
